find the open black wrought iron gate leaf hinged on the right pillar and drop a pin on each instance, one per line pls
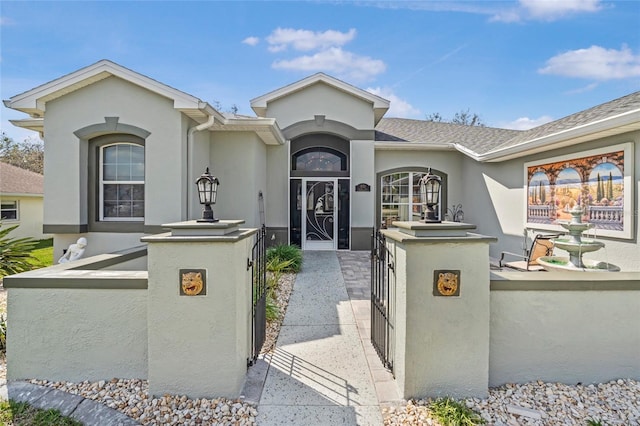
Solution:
(383, 285)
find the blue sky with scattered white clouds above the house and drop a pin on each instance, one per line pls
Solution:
(515, 63)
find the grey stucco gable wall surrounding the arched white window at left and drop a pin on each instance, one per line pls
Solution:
(65, 188)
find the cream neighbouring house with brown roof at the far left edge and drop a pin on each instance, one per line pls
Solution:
(21, 193)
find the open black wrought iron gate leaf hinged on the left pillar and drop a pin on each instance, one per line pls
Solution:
(258, 266)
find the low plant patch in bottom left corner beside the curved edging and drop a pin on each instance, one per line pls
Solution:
(22, 414)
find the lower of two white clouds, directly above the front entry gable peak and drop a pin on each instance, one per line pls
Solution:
(337, 61)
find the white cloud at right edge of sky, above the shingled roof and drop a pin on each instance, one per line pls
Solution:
(595, 63)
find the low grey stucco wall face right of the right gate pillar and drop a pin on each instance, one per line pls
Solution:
(564, 336)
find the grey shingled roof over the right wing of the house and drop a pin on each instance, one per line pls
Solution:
(485, 140)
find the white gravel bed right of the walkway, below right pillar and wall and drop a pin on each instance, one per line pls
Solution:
(541, 404)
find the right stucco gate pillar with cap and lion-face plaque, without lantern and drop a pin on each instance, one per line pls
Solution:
(441, 341)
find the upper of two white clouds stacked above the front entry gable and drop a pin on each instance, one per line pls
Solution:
(305, 40)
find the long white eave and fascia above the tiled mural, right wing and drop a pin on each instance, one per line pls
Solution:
(611, 126)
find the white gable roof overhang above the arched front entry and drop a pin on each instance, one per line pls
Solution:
(380, 105)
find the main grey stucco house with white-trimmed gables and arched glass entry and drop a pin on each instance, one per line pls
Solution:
(319, 164)
